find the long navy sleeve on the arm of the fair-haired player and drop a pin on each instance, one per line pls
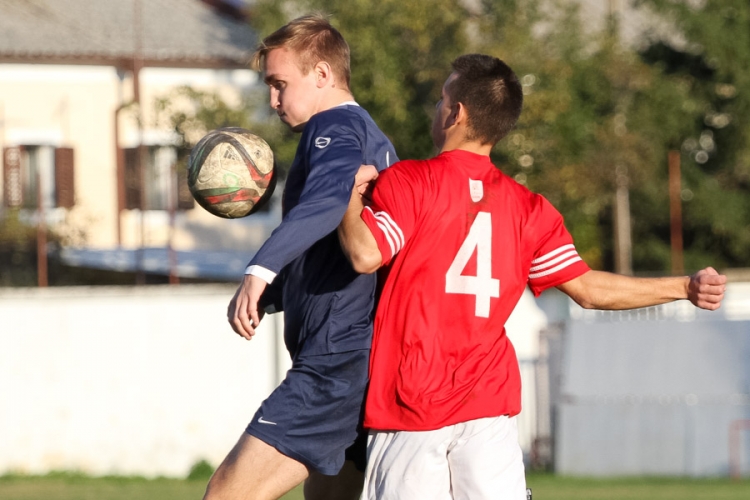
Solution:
(333, 155)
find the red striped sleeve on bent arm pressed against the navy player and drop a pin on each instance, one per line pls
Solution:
(395, 207)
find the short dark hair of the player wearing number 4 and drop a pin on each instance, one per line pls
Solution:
(491, 93)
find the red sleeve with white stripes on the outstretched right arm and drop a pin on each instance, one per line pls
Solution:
(556, 259)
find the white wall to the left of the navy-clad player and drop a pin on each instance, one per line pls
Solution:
(127, 380)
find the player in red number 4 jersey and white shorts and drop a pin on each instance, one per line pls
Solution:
(460, 241)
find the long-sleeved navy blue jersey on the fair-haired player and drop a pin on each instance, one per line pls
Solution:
(327, 306)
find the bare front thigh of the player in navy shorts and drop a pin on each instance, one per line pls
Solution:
(254, 470)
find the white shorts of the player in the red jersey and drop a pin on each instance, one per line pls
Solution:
(476, 460)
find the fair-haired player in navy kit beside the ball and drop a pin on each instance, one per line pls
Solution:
(306, 429)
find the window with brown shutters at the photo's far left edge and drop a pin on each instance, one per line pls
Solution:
(31, 171)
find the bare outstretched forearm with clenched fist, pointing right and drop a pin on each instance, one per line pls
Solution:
(603, 290)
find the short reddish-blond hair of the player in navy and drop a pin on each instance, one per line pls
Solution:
(313, 39)
